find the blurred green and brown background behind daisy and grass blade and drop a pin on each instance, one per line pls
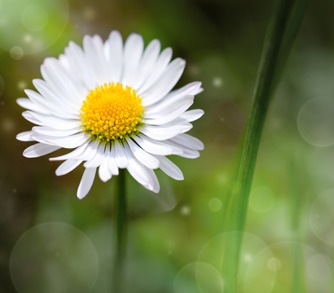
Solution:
(52, 242)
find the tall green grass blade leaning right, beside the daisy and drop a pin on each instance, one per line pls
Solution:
(281, 34)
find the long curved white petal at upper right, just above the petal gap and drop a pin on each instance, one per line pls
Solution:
(165, 83)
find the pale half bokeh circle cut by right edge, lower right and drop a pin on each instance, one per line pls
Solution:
(322, 217)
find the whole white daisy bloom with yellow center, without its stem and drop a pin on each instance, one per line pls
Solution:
(113, 105)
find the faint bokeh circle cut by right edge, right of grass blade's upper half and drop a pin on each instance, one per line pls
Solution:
(316, 122)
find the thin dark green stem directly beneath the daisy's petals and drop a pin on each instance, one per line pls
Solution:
(120, 233)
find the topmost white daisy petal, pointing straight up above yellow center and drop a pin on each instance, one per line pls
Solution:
(114, 55)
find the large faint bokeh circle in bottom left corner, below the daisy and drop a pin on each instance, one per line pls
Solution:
(54, 257)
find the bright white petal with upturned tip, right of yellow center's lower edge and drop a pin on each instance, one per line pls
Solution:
(164, 132)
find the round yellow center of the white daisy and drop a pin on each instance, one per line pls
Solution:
(111, 112)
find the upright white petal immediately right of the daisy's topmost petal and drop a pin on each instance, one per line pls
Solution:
(133, 50)
